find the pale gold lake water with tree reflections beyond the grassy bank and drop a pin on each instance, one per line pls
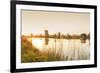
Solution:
(73, 49)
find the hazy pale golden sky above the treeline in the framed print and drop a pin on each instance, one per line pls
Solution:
(65, 22)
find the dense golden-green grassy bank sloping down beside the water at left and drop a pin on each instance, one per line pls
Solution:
(29, 53)
